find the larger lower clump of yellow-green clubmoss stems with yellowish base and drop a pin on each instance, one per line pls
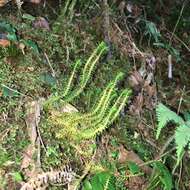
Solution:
(83, 126)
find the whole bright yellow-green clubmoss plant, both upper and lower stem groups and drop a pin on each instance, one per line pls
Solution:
(76, 126)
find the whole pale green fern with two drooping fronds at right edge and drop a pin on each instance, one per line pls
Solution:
(182, 132)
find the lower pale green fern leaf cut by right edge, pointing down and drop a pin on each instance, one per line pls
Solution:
(182, 138)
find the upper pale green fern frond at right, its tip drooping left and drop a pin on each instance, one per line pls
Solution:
(164, 116)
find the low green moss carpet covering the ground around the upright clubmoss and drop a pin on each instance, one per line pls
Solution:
(30, 75)
